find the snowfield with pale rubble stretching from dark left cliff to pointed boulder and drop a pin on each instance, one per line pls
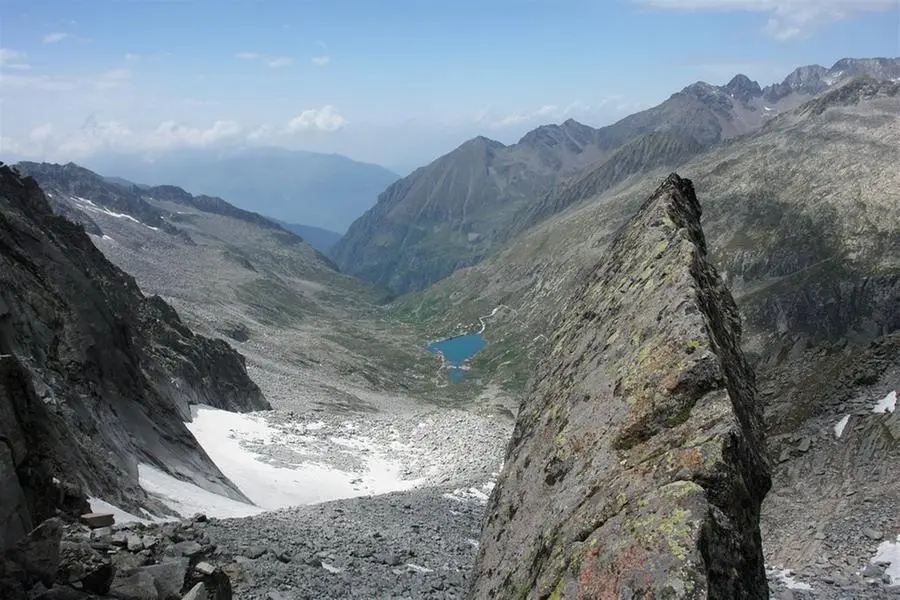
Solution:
(279, 460)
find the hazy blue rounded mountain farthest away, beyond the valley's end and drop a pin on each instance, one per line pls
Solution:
(321, 190)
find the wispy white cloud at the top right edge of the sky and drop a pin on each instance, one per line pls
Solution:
(788, 19)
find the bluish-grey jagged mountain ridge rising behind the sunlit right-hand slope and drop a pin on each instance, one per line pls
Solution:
(455, 211)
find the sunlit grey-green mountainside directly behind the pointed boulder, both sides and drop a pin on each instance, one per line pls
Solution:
(800, 218)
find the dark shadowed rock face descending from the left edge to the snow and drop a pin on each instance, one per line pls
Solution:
(95, 378)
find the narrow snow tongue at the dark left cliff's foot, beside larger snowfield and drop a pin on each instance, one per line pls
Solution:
(188, 499)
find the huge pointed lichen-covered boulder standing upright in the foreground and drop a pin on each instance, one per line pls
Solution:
(636, 469)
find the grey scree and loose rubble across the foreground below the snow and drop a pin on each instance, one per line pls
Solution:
(407, 545)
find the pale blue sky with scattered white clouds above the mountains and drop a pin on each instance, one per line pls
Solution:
(395, 82)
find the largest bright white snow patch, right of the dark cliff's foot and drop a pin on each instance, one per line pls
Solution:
(295, 477)
